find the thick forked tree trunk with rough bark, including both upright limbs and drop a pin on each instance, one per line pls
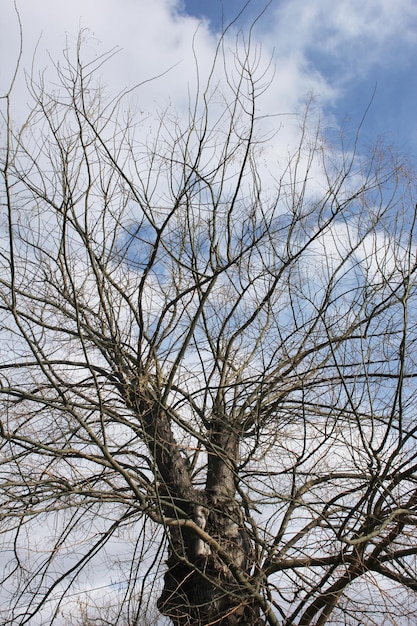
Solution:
(205, 582)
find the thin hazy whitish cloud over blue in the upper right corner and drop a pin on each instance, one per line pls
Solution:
(353, 34)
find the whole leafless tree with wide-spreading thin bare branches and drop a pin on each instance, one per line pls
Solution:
(208, 352)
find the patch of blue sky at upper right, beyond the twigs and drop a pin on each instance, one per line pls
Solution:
(388, 77)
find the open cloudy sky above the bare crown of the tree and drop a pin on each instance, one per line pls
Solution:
(342, 52)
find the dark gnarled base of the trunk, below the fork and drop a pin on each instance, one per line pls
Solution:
(205, 585)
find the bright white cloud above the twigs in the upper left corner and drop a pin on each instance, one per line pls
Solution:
(152, 38)
